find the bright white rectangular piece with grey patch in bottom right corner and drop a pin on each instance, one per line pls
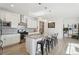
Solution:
(72, 49)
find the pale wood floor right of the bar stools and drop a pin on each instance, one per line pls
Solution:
(61, 48)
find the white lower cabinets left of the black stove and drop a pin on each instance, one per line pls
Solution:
(10, 39)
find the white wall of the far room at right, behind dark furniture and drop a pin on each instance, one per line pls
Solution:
(70, 22)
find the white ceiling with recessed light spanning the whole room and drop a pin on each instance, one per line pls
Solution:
(46, 10)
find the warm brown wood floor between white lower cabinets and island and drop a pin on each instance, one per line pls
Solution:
(18, 49)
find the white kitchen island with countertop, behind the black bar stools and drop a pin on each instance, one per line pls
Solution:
(31, 42)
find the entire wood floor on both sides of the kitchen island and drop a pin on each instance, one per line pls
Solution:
(60, 49)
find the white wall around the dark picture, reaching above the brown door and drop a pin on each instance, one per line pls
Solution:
(58, 27)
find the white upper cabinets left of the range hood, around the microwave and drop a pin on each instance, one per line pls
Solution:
(10, 17)
